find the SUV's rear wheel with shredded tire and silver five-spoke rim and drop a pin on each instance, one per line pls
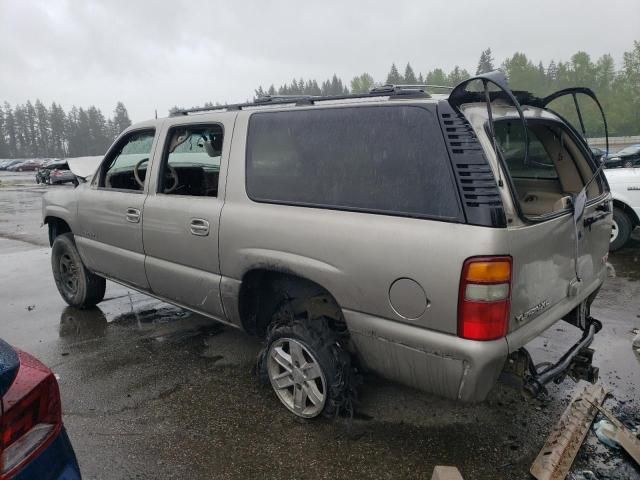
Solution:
(307, 367)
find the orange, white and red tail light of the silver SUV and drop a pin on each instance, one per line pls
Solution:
(484, 298)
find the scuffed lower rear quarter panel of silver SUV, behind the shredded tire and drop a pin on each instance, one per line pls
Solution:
(435, 362)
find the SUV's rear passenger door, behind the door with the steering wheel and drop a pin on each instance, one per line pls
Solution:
(181, 218)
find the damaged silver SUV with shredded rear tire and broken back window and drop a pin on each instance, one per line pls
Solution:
(426, 238)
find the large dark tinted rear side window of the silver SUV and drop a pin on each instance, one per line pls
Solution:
(388, 159)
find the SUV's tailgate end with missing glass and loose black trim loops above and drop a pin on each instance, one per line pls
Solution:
(560, 229)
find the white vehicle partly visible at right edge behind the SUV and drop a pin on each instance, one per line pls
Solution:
(625, 189)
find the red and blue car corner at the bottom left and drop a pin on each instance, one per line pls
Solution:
(33, 441)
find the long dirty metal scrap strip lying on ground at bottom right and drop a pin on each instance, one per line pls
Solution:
(555, 459)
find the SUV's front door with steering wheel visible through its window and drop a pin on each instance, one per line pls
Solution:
(110, 212)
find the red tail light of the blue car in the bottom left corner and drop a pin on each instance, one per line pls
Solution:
(31, 415)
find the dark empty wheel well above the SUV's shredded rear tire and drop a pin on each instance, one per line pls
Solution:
(263, 291)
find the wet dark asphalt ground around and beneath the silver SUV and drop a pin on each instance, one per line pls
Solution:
(152, 391)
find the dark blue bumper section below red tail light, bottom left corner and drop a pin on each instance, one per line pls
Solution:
(56, 462)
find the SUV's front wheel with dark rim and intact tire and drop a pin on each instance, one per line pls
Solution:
(78, 286)
